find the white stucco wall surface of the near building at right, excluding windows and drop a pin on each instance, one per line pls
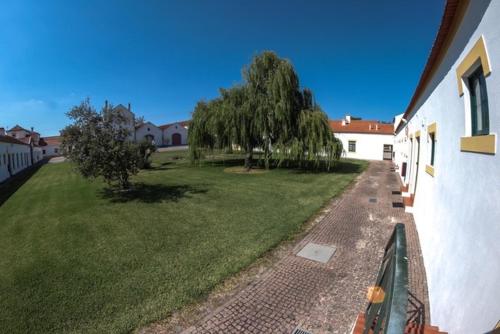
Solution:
(457, 211)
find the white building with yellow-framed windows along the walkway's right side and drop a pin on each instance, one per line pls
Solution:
(446, 147)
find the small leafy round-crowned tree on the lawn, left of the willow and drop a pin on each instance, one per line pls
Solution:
(97, 143)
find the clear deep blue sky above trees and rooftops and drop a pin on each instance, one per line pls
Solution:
(360, 57)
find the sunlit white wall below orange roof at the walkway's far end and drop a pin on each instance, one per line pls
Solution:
(368, 146)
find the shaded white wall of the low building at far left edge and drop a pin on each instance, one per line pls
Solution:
(18, 153)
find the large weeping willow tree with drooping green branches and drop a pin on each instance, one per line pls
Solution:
(268, 112)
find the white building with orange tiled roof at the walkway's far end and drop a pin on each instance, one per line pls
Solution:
(369, 140)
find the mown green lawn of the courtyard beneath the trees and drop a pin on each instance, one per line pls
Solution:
(76, 258)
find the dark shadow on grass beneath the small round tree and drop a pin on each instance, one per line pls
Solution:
(151, 193)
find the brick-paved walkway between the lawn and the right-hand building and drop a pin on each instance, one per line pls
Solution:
(326, 298)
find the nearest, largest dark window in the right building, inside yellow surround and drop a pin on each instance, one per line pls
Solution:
(478, 103)
